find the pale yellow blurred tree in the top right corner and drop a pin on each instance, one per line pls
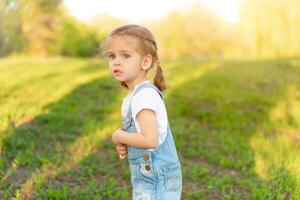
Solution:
(272, 26)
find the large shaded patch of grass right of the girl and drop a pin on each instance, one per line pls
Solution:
(214, 118)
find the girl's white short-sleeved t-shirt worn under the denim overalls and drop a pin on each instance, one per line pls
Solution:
(147, 98)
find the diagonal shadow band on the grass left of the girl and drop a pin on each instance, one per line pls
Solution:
(47, 143)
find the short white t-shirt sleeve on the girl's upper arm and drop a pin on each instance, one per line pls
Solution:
(147, 98)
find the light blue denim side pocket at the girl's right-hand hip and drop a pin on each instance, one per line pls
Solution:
(172, 176)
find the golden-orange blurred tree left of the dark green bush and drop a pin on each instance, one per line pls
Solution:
(39, 23)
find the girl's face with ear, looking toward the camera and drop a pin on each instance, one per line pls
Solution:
(125, 62)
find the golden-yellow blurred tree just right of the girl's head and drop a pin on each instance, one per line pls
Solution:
(198, 32)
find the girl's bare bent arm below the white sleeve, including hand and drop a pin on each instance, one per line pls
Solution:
(147, 138)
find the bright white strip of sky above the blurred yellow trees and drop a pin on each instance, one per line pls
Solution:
(138, 10)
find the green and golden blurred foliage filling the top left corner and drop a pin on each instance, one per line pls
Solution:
(28, 25)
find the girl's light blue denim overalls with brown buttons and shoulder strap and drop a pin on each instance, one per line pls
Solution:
(155, 175)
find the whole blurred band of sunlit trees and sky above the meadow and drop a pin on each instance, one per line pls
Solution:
(255, 29)
